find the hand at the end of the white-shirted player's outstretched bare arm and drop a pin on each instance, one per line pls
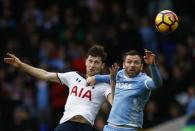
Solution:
(12, 60)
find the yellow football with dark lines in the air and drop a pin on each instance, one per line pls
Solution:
(166, 21)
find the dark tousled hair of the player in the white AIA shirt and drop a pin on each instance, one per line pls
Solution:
(97, 51)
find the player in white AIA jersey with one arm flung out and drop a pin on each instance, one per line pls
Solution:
(83, 102)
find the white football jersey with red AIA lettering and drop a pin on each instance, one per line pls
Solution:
(82, 100)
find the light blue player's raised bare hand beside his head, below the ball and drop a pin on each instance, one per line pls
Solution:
(149, 58)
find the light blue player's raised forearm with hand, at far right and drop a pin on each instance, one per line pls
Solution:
(149, 59)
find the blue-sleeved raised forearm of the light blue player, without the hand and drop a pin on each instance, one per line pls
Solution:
(155, 74)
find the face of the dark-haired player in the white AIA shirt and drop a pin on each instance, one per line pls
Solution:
(94, 65)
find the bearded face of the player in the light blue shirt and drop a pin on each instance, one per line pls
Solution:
(132, 65)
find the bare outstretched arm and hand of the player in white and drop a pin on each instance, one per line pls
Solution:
(36, 72)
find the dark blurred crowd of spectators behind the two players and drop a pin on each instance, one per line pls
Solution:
(55, 34)
